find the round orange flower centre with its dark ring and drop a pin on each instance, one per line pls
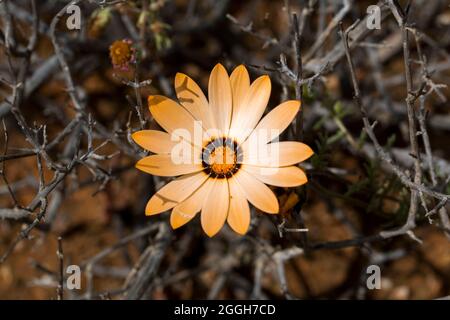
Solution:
(221, 158)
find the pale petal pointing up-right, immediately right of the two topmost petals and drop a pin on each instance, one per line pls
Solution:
(252, 109)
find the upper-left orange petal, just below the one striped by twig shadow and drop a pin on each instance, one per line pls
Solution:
(175, 119)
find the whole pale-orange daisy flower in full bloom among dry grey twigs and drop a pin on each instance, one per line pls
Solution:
(221, 151)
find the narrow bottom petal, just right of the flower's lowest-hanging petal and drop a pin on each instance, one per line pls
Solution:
(239, 211)
